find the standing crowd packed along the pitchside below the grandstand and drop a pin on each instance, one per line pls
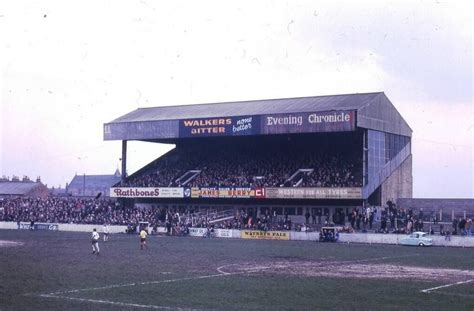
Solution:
(103, 210)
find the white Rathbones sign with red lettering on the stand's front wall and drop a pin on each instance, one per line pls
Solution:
(146, 192)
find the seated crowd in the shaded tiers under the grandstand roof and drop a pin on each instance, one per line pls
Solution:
(252, 166)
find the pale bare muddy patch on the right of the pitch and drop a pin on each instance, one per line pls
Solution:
(352, 270)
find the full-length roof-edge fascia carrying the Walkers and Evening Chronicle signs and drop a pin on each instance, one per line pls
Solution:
(299, 122)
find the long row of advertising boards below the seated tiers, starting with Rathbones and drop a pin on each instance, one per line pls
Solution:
(238, 193)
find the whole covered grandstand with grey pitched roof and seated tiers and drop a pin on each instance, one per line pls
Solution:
(319, 155)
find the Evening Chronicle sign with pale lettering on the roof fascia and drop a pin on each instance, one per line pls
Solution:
(328, 121)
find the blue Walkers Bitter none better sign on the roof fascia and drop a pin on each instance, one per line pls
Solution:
(229, 126)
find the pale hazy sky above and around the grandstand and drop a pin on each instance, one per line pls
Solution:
(68, 67)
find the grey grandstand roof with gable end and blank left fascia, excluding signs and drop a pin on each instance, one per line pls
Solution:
(162, 124)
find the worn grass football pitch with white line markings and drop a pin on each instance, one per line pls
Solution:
(47, 270)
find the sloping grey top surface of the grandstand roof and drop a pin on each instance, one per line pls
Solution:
(253, 107)
